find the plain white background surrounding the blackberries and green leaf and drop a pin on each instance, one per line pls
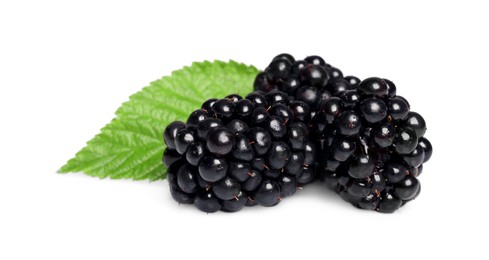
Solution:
(65, 67)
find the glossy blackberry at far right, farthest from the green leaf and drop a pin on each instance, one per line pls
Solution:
(371, 146)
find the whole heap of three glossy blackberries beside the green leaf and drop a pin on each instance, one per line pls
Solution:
(304, 121)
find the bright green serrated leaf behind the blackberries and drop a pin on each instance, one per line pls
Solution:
(131, 146)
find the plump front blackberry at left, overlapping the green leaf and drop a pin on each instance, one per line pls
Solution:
(236, 152)
